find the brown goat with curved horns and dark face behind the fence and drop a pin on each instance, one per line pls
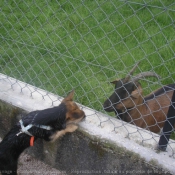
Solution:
(128, 103)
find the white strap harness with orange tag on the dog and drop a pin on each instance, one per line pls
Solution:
(24, 129)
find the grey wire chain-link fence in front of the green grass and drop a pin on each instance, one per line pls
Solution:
(83, 45)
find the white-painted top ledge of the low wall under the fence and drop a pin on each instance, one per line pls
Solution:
(104, 128)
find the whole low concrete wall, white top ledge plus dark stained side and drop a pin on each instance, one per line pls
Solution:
(101, 144)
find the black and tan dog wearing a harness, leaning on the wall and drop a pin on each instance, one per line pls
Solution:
(48, 124)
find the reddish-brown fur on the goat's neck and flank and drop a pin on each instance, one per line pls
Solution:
(151, 115)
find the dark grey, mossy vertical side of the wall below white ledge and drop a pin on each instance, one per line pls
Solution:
(79, 153)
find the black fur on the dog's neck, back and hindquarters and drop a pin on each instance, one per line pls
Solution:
(12, 145)
